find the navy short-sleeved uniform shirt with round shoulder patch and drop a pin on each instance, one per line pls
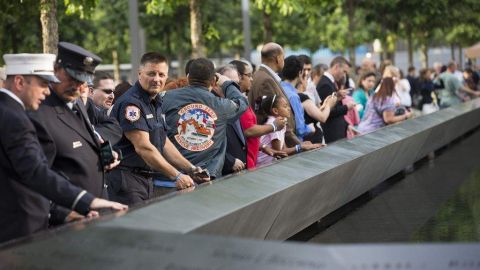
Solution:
(135, 110)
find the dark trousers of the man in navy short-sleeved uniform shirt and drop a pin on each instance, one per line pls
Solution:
(129, 188)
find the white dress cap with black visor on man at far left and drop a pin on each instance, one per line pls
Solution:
(31, 64)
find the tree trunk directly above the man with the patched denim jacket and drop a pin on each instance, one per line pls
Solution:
(196, 29)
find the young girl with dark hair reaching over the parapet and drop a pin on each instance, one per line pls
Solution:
(276, 106)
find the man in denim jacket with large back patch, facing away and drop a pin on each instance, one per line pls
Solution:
(197, 119)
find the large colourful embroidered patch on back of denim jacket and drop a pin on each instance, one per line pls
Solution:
(196, 127)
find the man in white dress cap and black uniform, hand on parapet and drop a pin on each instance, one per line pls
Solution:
(25, 177)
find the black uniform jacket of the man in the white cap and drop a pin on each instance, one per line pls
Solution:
(25, 177)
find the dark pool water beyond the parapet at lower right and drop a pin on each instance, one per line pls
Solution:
(439, 201)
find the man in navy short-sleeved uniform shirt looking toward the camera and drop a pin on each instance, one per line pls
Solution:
(146, 149)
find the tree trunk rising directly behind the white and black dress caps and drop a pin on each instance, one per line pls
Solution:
(48, 18)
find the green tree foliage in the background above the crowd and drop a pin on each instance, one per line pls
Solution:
(340, 25)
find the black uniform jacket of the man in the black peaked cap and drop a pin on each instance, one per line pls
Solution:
(71, 147)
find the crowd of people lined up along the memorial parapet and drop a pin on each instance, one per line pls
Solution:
(74, 143)
